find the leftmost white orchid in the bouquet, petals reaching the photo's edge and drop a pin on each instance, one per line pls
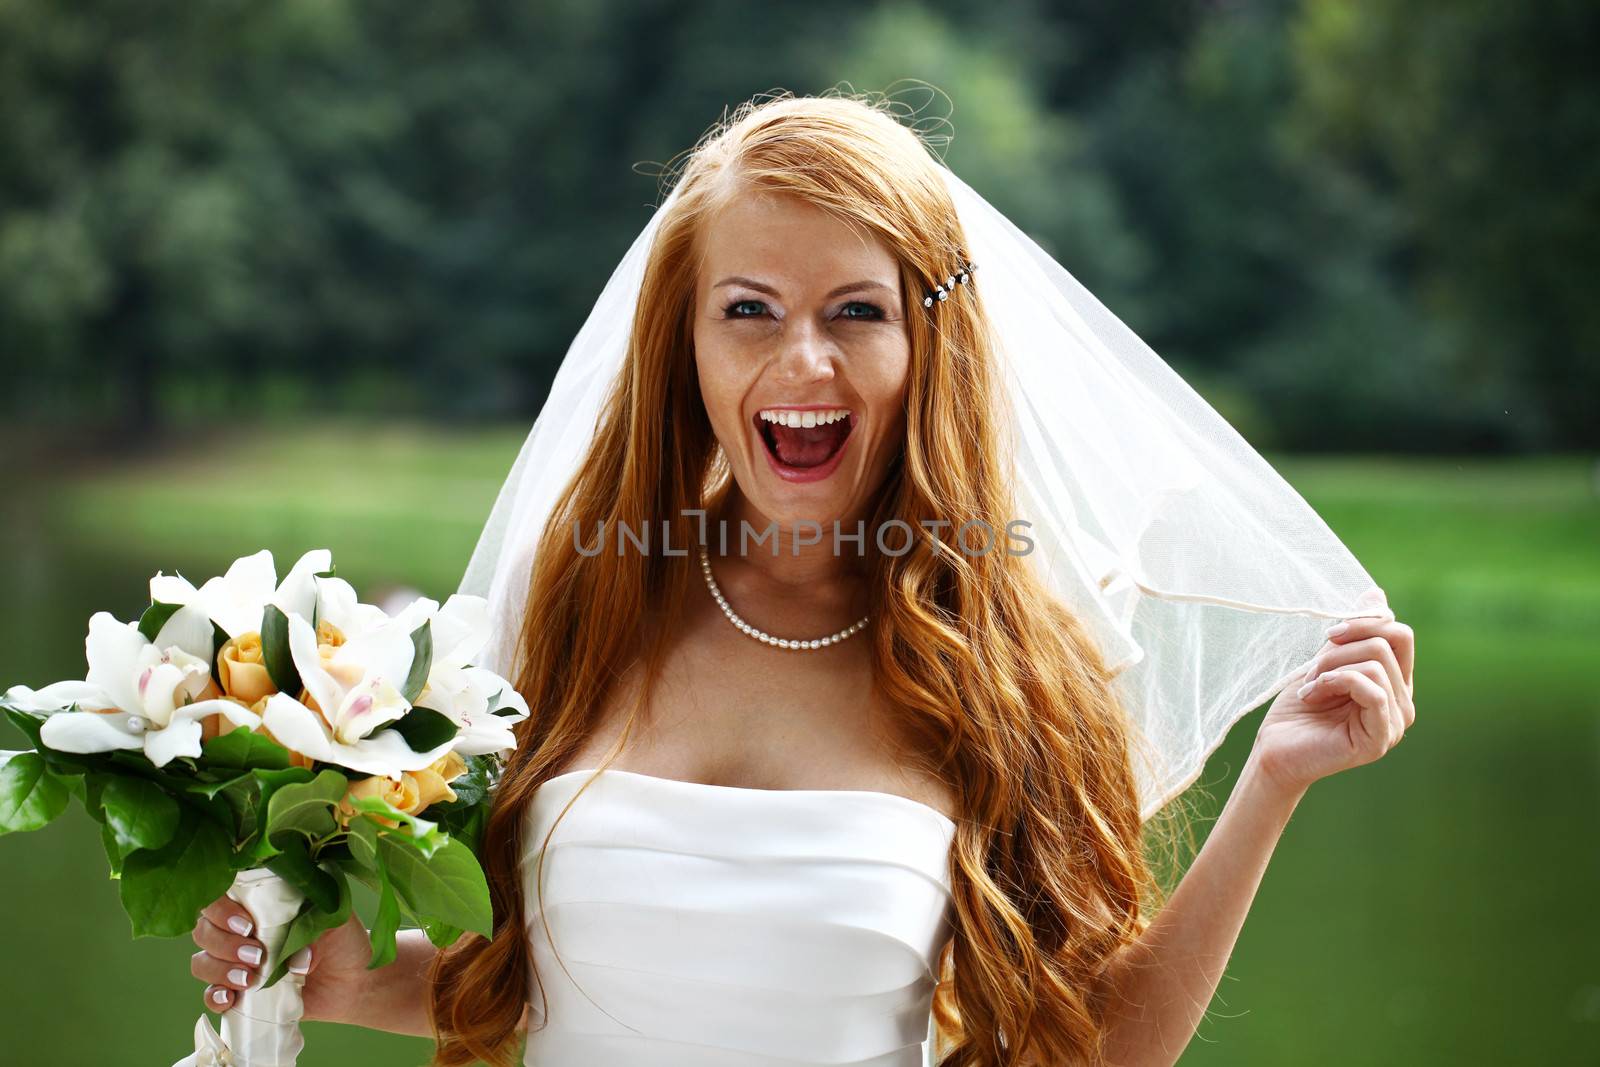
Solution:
(148, 695)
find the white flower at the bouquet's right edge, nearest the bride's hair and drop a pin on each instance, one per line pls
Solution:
(463, 693)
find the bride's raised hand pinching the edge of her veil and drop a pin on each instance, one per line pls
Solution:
(1353, 706)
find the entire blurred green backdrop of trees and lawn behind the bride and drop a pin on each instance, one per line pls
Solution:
(298, 276)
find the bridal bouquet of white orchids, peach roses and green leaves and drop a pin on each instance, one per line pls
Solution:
(273, 741)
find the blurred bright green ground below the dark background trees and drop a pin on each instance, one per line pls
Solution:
(1431, 909)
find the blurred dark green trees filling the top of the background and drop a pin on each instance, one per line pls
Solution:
(1374, 217)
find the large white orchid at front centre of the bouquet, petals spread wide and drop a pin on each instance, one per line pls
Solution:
(358, 693)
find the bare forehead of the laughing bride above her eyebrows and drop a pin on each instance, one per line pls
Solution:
(778, 236)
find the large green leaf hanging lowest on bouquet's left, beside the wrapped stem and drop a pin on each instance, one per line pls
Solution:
(164, 889)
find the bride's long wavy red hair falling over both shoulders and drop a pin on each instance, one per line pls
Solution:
(1004, 692)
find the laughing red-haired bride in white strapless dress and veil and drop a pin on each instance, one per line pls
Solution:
(810, 780)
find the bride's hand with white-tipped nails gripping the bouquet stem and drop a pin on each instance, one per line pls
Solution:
(230, 961)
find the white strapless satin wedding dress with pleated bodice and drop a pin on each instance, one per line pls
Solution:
(730, 927)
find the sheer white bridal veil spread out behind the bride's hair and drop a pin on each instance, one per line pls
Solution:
(1206, 577)
